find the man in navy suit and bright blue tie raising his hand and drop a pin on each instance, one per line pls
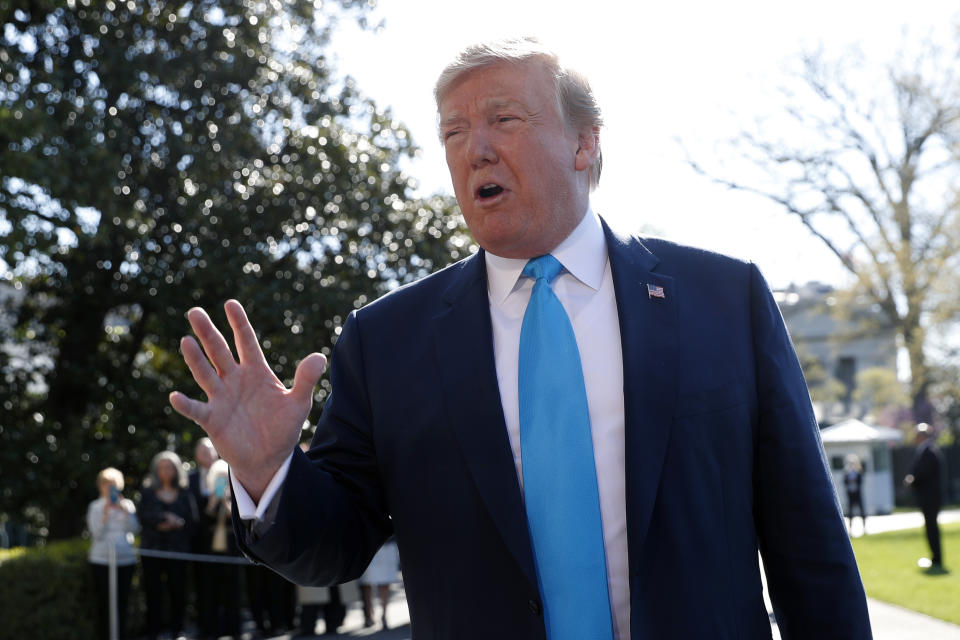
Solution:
(572, 434)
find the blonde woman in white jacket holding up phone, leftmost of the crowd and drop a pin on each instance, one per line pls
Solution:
(111, 520)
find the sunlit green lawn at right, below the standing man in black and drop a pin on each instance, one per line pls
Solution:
(888, 564)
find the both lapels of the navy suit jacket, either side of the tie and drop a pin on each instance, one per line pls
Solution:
(648, 334)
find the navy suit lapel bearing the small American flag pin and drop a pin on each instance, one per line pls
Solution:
(648, 333)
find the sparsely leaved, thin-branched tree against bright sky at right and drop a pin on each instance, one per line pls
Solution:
(870, 164)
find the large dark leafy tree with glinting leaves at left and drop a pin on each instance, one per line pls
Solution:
(161, 155)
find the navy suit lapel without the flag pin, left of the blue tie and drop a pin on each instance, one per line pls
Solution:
(464, 351)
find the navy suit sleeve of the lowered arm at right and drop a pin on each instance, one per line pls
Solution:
(811, 572)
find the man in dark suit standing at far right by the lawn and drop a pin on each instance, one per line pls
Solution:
(925, 478)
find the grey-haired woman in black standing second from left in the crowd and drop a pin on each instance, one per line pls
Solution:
(169, 516)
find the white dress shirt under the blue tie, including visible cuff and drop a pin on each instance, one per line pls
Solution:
(585, 289)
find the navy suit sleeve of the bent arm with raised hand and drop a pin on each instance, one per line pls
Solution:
(331, 515)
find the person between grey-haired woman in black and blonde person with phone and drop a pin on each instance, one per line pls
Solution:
(204, 455)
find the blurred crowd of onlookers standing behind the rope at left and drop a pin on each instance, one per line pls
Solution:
(189, 512)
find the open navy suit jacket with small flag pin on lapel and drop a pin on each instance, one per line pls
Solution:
(723, 457)
